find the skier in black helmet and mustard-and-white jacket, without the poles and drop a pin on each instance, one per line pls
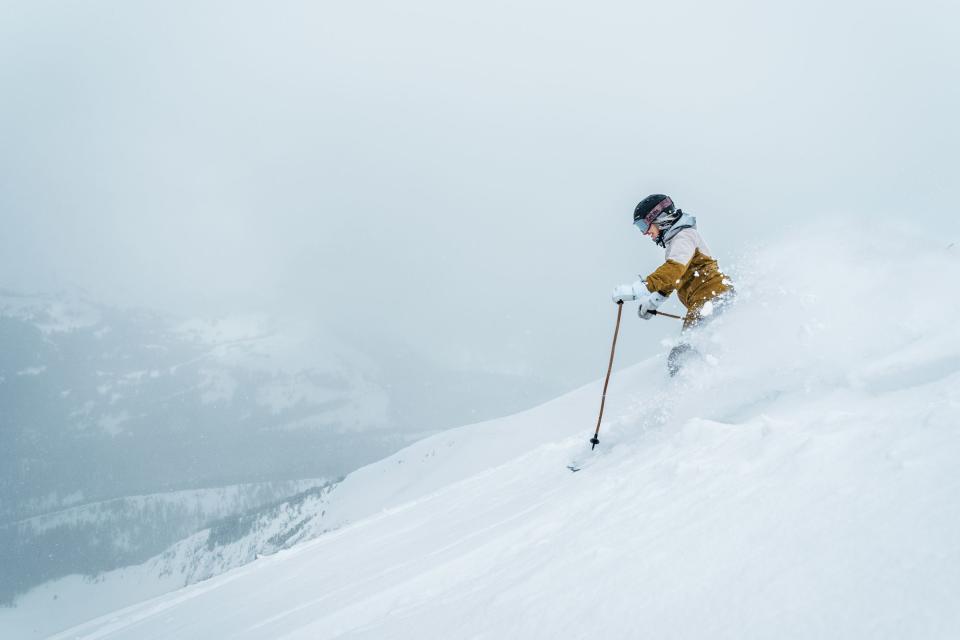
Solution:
(689, 269)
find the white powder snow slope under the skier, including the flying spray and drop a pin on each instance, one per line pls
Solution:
(800, 482)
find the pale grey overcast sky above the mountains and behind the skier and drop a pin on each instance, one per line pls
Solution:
(459, 176)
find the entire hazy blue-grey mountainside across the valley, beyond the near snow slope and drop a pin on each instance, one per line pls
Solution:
(111, 418)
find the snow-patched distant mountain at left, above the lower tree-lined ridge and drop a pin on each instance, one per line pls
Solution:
(100, 402)
